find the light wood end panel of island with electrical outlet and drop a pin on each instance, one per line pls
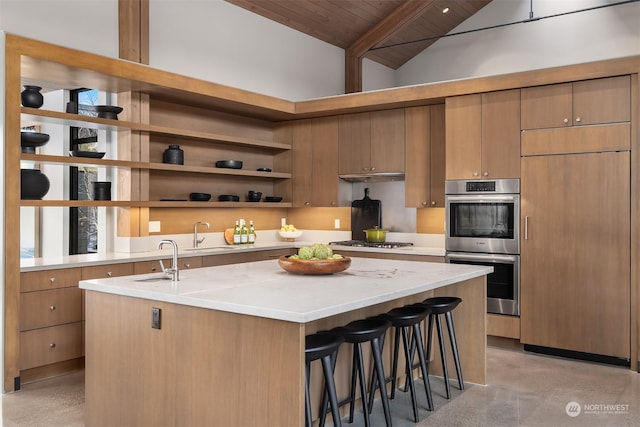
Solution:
(203, 367)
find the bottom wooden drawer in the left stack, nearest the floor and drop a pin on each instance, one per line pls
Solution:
(44, 346)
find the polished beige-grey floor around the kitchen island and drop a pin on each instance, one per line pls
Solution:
(523, 390)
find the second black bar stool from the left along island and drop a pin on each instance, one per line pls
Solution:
(358, 332)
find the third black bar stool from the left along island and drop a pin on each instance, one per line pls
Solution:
(407, 319)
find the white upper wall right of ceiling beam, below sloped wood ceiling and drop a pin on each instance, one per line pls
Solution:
(583, 37)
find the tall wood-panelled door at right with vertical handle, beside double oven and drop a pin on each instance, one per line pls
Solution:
(575, 254)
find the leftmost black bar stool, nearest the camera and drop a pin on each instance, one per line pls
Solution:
(323, 347)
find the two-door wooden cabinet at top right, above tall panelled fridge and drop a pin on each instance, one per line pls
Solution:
(588, 102)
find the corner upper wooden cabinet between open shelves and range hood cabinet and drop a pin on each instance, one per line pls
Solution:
(315, 162)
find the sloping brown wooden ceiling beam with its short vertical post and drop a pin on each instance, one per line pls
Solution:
(402, 16)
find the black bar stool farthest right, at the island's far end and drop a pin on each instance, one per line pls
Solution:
(444, 306)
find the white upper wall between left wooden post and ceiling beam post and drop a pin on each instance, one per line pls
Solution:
(220, 42)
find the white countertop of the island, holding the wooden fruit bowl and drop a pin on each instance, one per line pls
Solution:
(264, 289)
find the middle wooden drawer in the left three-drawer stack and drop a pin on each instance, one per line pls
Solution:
(48, 308)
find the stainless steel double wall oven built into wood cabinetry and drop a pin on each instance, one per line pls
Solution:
(483, 228)
